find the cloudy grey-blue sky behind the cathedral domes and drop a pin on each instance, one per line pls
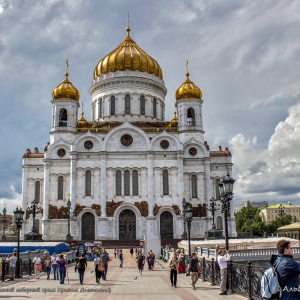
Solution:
(243, 55)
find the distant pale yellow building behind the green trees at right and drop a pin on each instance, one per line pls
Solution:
(275, 211)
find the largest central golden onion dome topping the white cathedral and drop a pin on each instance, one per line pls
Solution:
(128, 56)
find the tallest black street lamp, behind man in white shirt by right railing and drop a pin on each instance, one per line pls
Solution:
(226, 193)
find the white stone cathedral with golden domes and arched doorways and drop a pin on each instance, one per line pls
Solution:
(127, 170)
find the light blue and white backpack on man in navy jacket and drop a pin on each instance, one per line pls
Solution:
(270, 287)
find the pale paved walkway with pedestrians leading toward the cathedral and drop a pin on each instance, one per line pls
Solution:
(122, 283)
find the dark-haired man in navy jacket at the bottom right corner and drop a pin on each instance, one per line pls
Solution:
(288, 271)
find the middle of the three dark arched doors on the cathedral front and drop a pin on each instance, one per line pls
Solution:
(127, 225)
